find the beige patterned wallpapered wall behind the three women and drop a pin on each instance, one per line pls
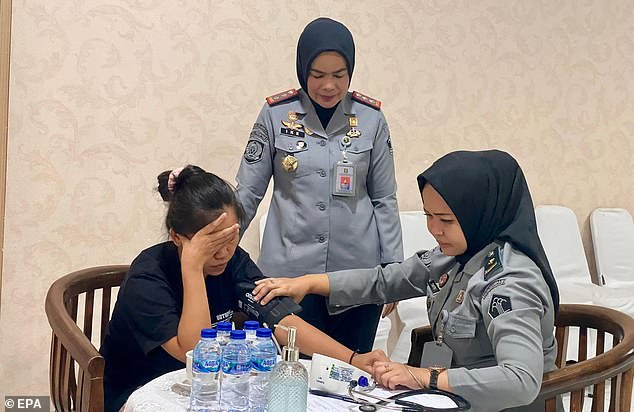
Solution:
(106, 94)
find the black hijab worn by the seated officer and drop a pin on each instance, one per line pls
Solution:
(489, 195)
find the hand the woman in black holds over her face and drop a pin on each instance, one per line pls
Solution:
(201, 249)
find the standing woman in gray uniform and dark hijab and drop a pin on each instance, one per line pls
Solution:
(334, 198)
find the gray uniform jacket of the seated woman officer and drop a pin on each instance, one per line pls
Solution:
(500, 318)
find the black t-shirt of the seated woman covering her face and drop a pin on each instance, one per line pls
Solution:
(148, 309)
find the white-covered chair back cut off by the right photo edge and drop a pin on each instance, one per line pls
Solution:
(613, 241)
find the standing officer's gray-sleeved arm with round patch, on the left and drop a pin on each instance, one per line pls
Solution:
(256, 166)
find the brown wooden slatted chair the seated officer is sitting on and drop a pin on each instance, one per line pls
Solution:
(615, 364)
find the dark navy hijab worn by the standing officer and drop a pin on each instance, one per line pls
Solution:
(322, 35)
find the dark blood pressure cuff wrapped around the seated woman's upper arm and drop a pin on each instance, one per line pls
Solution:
(271, 313)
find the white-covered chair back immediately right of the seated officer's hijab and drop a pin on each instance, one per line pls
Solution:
(559, 232)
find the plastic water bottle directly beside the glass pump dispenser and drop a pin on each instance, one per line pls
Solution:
(263, 359)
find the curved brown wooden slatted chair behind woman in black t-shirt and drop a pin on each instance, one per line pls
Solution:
(76, 367)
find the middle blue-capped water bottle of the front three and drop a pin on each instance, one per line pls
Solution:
(235, 365)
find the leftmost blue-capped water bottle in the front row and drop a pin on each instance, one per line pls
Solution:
(205, 367)
